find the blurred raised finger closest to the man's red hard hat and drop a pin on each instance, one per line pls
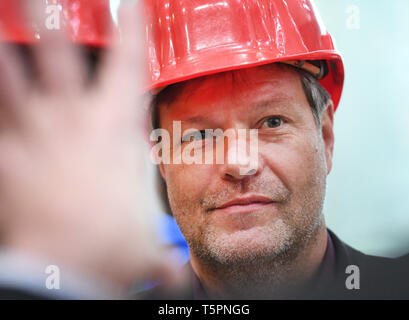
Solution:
(123, 68)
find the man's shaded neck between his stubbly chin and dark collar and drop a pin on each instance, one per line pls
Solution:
(269, 278)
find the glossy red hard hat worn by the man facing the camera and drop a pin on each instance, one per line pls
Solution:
(192, 38)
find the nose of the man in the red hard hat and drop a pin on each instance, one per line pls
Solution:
(241, 158)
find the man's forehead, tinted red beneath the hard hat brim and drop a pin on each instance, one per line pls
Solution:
(233, 90)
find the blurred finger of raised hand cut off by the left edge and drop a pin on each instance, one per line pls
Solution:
(13, 84)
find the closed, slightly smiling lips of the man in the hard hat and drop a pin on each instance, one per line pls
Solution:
(246, 204)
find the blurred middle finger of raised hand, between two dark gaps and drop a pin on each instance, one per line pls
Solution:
(57, 62)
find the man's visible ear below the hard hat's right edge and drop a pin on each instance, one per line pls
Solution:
(327, 132)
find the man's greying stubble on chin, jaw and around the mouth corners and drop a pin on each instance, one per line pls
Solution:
(277, 240)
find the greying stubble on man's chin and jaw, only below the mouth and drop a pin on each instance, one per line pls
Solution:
(278, 242)
